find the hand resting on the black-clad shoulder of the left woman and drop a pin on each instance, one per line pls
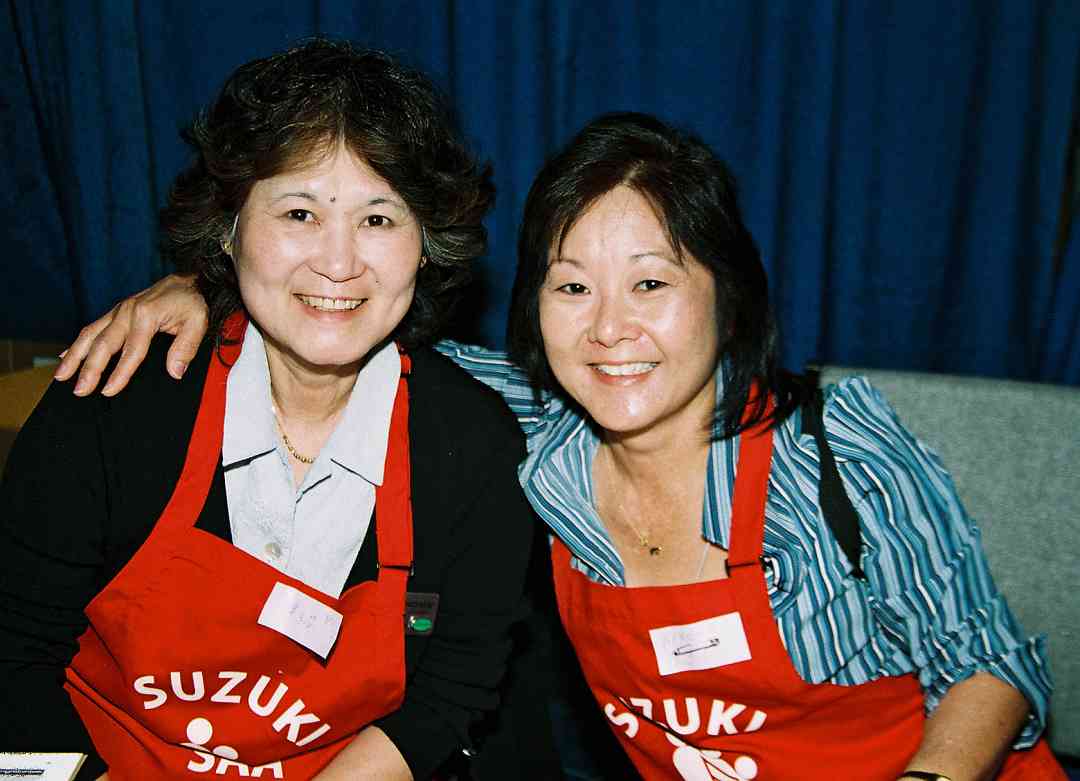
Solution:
(172, 306)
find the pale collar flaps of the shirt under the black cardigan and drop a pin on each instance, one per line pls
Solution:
(359, 442)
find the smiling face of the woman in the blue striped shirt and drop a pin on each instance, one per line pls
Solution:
(630, 325)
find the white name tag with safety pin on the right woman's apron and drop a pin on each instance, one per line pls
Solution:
(704, 645)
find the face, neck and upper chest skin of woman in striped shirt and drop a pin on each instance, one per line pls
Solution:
(631, 333)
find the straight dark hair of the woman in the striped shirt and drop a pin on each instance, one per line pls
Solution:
(694, 196)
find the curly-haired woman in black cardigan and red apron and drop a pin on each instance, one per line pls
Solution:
(306, 557)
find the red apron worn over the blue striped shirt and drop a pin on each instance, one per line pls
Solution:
(697, 684)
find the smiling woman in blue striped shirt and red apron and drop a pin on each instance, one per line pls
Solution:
(676, 464)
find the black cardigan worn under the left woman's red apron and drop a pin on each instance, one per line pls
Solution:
(88, 478)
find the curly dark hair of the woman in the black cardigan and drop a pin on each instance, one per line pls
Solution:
(285, 111)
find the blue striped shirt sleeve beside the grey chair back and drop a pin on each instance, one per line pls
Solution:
(931, 588)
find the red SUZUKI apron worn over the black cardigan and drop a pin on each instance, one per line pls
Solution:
(174, 677)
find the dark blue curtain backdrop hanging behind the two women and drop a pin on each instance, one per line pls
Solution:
(902, 165)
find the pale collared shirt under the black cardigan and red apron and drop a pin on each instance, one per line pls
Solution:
(313, 533)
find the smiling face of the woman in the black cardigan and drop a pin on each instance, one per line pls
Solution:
(327, 258)
